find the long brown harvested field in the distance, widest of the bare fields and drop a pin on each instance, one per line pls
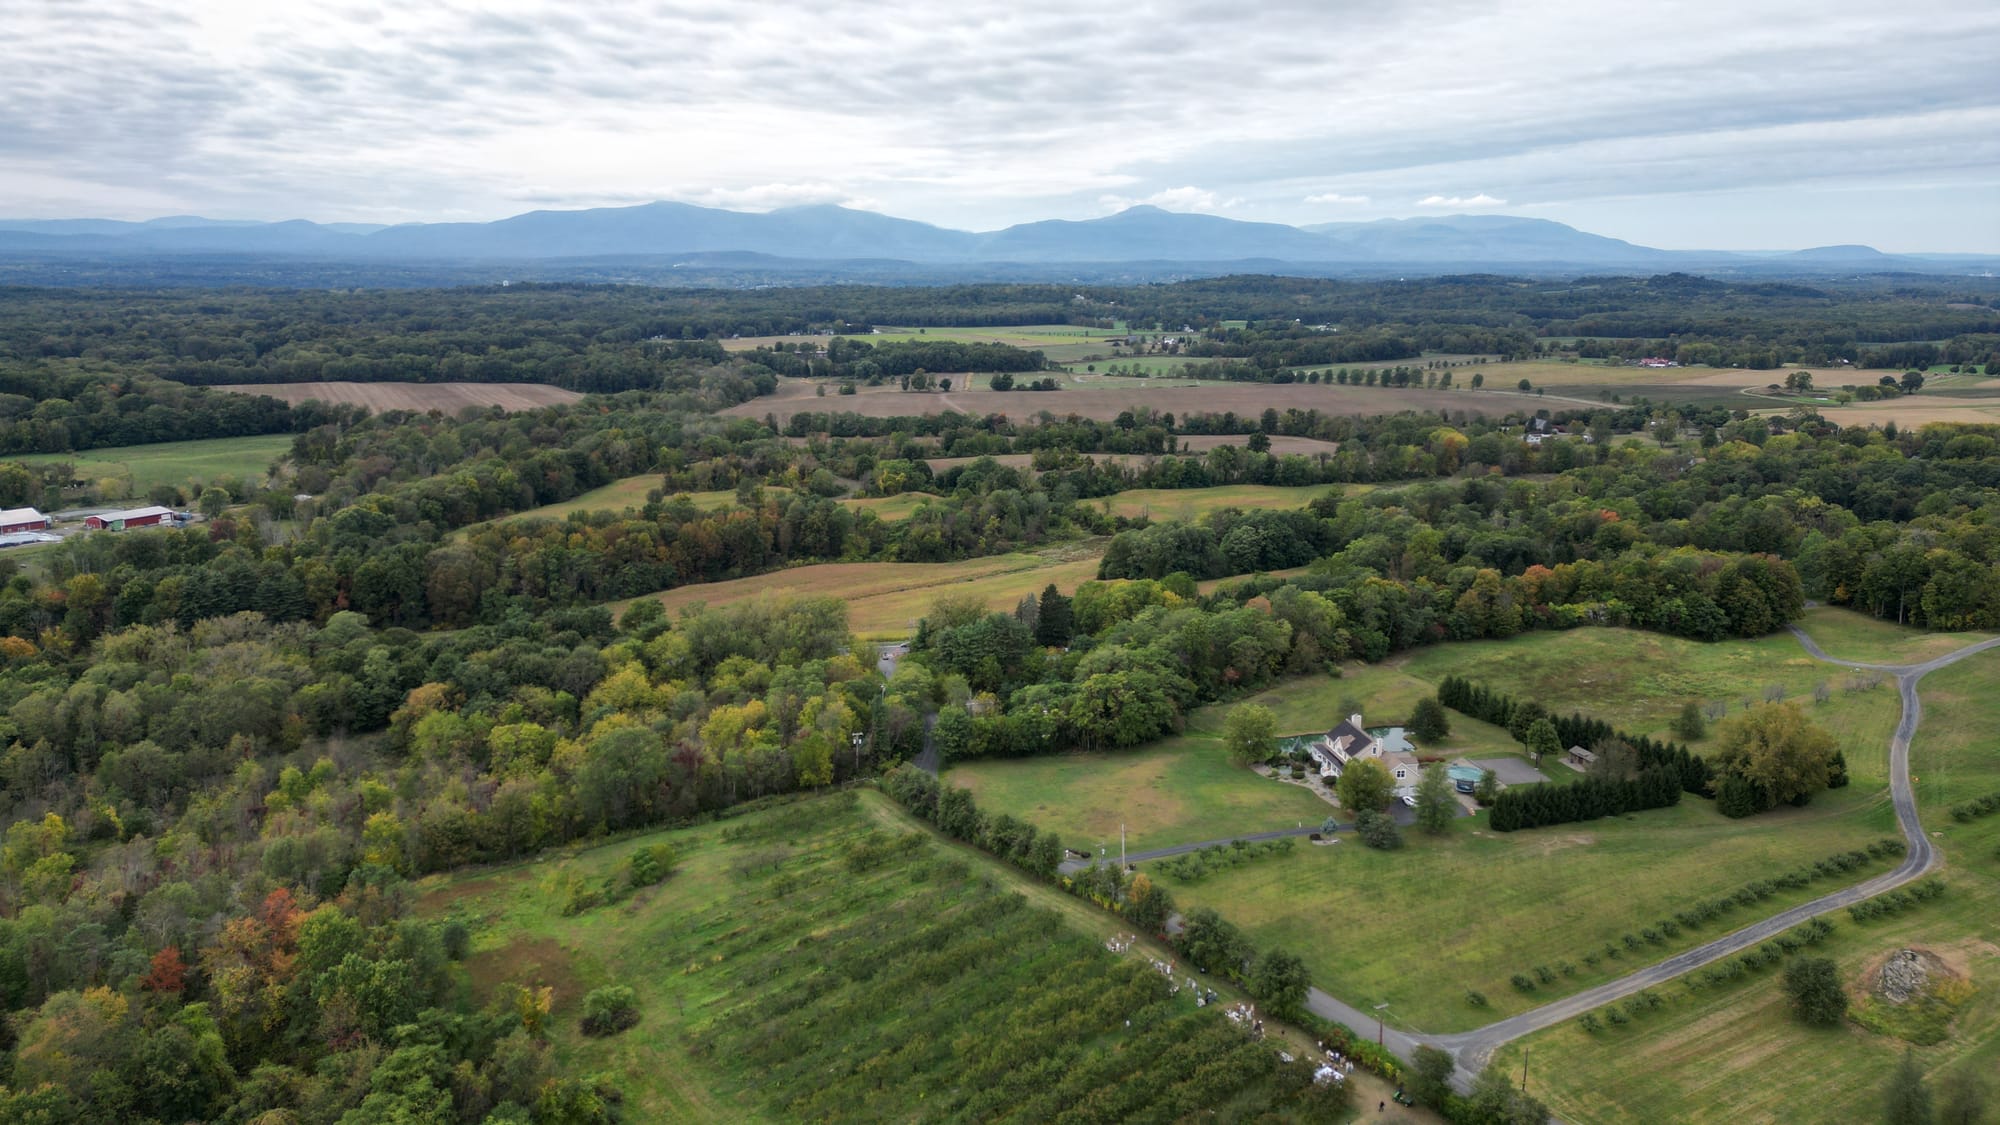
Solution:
(1107, 403)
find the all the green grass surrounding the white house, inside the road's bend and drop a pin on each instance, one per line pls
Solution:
(1543, 896)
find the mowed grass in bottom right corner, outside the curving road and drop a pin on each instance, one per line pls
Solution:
(1739, 1056)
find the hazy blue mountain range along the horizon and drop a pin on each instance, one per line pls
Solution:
(841, 235)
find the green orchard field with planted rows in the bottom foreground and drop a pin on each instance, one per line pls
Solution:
(837, 962)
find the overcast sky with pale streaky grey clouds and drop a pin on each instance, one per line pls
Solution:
(1713, 125)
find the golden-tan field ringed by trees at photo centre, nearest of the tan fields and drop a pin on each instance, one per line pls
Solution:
(887, 600)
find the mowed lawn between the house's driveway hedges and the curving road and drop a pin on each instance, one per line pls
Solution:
(1445, 916)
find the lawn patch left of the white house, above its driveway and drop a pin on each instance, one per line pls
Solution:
(1171, 794)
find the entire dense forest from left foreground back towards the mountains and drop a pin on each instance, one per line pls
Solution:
(231, 748)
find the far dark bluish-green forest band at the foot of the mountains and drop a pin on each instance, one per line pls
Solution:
(621, 337)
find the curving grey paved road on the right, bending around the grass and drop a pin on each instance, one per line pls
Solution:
(1475, 1048)
